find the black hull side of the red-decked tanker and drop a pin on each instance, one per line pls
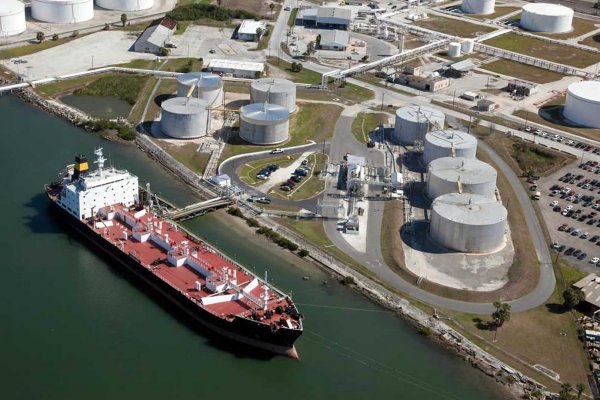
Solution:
(252, 333)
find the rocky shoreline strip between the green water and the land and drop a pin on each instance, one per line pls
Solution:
(515, 383)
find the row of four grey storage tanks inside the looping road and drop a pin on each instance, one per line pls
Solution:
(466, 215)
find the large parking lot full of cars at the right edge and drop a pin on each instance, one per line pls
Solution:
(570, 204)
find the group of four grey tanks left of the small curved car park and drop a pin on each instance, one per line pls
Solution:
(265, 121)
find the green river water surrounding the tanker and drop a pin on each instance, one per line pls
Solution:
(75, 326)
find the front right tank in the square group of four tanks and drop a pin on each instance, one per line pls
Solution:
(264, 124)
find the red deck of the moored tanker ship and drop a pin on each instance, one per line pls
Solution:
(184, 278)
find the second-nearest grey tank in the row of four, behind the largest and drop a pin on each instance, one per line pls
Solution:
(460, 175)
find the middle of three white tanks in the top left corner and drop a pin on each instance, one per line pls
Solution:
(62, 11)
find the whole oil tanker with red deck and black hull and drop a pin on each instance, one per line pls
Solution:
(104, 206)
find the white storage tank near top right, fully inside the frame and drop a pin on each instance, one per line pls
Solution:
(544, 17)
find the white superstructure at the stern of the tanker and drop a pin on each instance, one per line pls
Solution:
(84, 195)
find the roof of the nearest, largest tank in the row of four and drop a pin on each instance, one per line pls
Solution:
(469, 209)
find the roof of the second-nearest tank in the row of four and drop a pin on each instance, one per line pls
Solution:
(470, 171)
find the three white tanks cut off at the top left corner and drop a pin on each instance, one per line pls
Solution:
(12, 12)
